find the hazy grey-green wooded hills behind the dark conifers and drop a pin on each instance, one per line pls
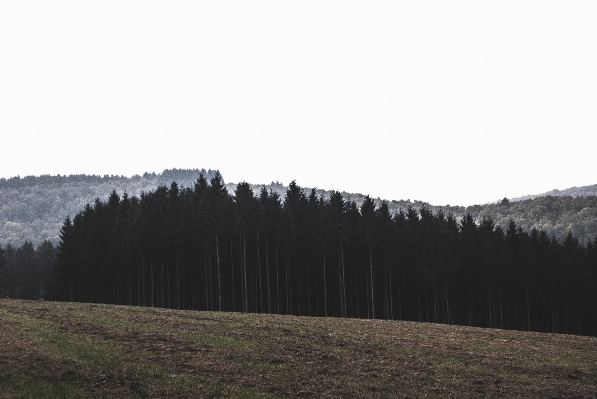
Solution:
(34, 207)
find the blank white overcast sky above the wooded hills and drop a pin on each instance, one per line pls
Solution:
(445, 102)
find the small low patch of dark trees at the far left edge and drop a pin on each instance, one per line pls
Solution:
(25, 271)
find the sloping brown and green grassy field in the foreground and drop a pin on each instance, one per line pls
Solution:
(51, 349)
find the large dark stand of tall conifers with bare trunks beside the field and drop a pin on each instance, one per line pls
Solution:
(201, 248)
